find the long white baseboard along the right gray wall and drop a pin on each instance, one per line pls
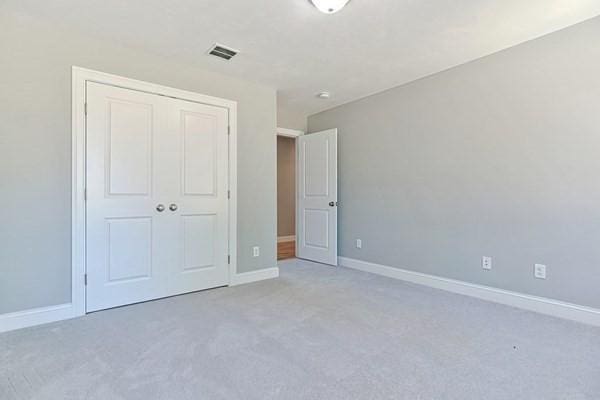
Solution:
(543, 305)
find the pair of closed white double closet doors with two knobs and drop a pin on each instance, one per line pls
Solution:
(157, 196)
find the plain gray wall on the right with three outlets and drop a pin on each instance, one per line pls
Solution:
(498, 157)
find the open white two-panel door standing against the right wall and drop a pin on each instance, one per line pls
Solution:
(317, 197)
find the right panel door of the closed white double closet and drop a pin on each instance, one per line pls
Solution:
(198, 141)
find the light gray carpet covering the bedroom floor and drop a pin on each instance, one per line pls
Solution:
(317, 332)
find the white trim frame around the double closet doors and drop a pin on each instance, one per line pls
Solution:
(80, 76)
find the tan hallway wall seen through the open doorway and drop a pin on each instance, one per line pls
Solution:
(286, 186)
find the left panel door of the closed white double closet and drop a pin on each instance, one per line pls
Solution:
(125, 257)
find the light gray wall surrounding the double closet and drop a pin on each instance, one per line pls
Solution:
(35, 153)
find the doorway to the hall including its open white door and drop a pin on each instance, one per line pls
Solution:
(307, 205)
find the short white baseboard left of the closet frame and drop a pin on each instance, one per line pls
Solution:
(35, 316)
